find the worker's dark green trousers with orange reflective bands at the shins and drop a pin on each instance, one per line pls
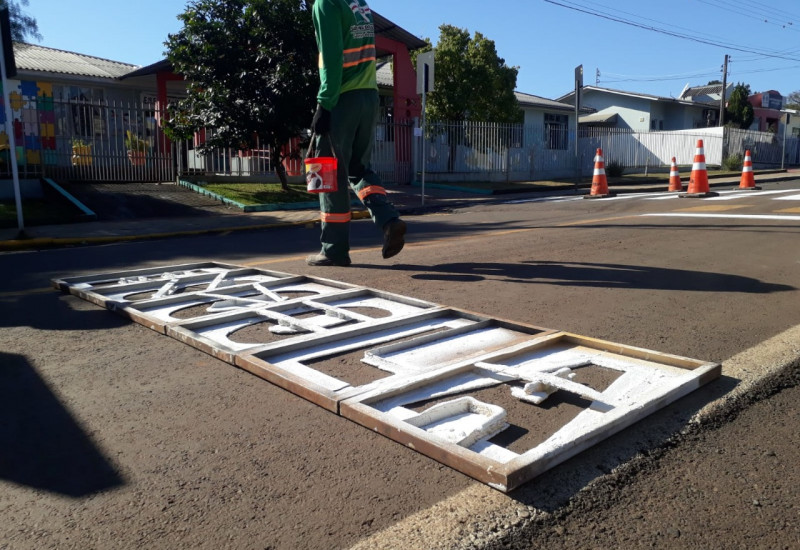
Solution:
(353, 123)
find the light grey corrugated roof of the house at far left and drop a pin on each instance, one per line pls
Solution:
(30, 57)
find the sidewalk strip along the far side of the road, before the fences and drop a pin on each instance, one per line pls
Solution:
(407, 199)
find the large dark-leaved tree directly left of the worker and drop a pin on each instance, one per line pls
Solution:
(251, 71)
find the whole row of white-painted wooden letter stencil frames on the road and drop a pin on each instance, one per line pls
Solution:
(431, 353)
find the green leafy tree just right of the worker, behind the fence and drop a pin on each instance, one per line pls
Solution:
(472, 81)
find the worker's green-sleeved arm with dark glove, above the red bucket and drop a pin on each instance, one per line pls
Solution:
(328, 29)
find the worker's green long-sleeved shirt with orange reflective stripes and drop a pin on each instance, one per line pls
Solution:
(346, 41)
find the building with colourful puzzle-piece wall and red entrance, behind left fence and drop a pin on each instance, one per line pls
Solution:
(60, 99)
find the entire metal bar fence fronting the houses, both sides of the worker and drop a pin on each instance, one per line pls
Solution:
(81, 140)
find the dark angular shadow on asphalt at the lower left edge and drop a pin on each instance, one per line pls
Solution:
(41, 444)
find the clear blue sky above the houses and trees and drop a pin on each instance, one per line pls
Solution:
(646, 46)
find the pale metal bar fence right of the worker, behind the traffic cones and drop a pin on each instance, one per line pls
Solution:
(479, 151)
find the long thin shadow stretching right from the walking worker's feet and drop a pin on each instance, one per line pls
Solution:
(592, 275)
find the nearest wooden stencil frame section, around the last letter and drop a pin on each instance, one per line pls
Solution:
(681, 376)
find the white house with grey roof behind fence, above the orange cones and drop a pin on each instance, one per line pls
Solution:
(638, 111)
